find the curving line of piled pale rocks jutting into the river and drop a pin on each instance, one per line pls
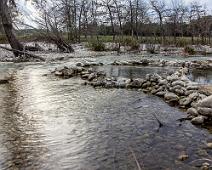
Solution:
(175, 88)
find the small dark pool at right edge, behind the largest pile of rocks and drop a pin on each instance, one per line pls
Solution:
(201, 76)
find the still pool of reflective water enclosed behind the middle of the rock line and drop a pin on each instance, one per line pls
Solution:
(133, 71)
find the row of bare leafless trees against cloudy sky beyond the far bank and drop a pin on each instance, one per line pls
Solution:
(153, 21)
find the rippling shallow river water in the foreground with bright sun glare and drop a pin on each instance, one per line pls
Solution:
(49, 123)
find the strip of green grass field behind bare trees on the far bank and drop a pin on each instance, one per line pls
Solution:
(124, 40)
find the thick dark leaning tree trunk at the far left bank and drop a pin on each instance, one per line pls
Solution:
(8, 27)
